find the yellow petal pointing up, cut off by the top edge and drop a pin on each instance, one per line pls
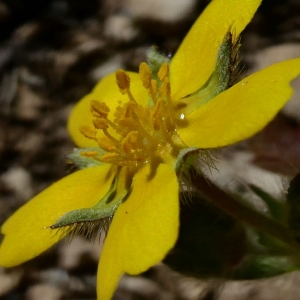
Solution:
(196, 57)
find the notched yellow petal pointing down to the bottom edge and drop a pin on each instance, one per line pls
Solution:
(143, 230)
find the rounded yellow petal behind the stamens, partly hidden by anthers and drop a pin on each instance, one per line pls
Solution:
(105, 91)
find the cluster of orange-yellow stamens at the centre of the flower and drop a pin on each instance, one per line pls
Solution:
(137, 135)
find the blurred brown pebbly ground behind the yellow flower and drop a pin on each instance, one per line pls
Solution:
(53, 52)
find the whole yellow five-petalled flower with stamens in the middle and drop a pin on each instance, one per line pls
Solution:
(189, 106)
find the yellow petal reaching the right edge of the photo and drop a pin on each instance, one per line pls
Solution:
(242, 110)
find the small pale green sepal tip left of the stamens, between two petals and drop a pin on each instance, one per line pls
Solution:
(83, 162)
